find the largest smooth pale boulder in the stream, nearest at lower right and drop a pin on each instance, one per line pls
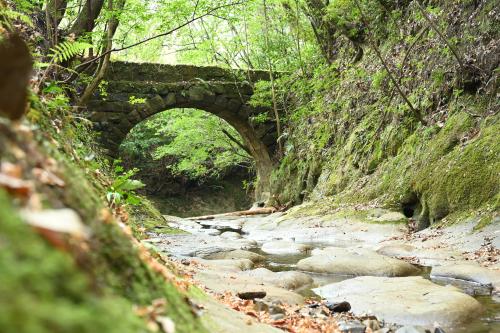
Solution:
(404, 300)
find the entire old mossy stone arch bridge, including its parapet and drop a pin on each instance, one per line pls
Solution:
(222, 92)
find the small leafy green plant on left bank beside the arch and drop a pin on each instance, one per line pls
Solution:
(122, 191)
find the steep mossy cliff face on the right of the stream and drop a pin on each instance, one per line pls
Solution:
(353, 139)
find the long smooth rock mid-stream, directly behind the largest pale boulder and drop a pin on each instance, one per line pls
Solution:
(355, 262)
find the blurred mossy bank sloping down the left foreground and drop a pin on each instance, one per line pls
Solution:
(94, 285)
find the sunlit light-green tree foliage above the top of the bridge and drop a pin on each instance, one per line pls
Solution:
(232, 37)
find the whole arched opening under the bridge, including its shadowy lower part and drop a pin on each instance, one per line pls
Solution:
(192, 162)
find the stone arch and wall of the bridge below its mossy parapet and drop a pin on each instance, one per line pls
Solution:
(128, 103)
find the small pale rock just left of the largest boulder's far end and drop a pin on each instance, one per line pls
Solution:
(288, 280)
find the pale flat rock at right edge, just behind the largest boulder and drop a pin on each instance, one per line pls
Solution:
(471, 273)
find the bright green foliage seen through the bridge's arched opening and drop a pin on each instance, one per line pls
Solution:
(192, 142)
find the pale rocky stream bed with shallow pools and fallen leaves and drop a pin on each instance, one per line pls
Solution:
(296, 273)
